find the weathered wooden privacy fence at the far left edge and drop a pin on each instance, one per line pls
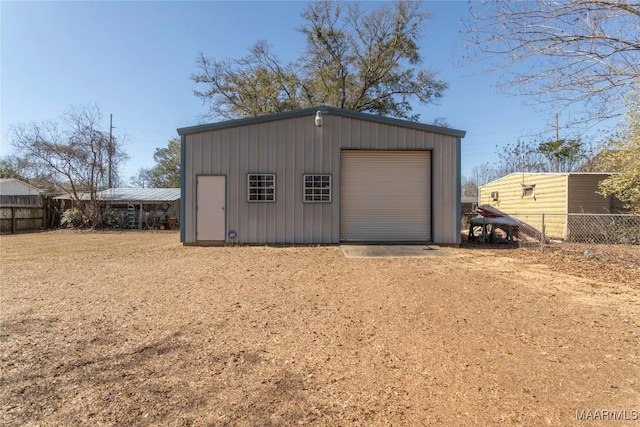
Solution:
(17, 216)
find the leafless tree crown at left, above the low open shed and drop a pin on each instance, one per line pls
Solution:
(73, 153)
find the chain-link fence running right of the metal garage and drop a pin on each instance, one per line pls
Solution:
(541, 230)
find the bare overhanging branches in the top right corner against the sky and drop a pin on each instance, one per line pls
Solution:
(584, 52)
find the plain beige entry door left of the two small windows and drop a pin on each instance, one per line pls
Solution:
(210, 205)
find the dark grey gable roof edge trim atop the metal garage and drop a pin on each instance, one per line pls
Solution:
(325, 110)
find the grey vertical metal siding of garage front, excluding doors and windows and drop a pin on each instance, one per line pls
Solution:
(292, 146)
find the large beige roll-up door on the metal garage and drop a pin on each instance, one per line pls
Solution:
(385, 195)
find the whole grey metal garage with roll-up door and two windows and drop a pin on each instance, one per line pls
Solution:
(320, 175)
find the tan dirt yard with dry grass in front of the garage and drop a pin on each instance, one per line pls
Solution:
(135, 329)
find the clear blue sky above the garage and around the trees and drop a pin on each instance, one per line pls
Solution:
(134, 59)
